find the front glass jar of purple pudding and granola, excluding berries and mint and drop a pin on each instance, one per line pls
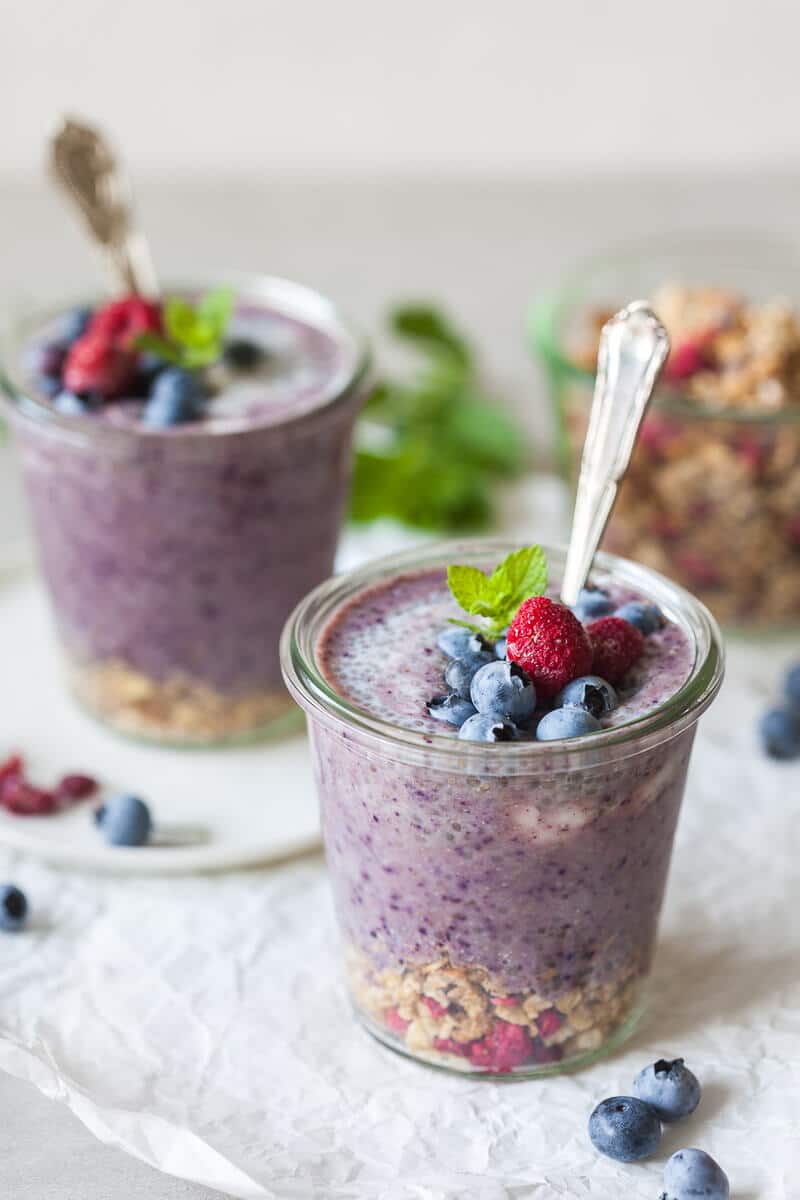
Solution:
(498, 904)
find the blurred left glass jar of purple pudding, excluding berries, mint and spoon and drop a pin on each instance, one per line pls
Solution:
(175, 555)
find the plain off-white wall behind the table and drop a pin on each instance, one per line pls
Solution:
(502, 86)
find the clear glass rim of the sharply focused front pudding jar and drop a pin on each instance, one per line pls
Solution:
(316, 695)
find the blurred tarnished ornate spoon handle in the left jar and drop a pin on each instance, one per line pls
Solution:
(83, 165)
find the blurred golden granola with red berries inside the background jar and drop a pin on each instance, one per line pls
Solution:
(713, 495)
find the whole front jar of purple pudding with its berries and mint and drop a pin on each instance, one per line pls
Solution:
(500, 904)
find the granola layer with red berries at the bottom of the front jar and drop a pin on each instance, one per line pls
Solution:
(461, 1018)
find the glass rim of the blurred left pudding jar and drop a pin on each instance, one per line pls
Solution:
(296, 299)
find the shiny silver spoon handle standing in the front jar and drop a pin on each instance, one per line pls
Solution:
(634, 347)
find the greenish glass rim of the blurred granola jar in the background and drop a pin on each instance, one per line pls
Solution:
(546, 317)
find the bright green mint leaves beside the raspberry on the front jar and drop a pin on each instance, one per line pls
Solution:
(497, 597)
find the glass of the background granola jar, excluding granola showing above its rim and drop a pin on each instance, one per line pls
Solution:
(713, 496)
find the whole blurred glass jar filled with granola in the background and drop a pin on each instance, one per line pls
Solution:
(713, 497)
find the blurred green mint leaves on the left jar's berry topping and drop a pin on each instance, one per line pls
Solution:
(194, 334)
